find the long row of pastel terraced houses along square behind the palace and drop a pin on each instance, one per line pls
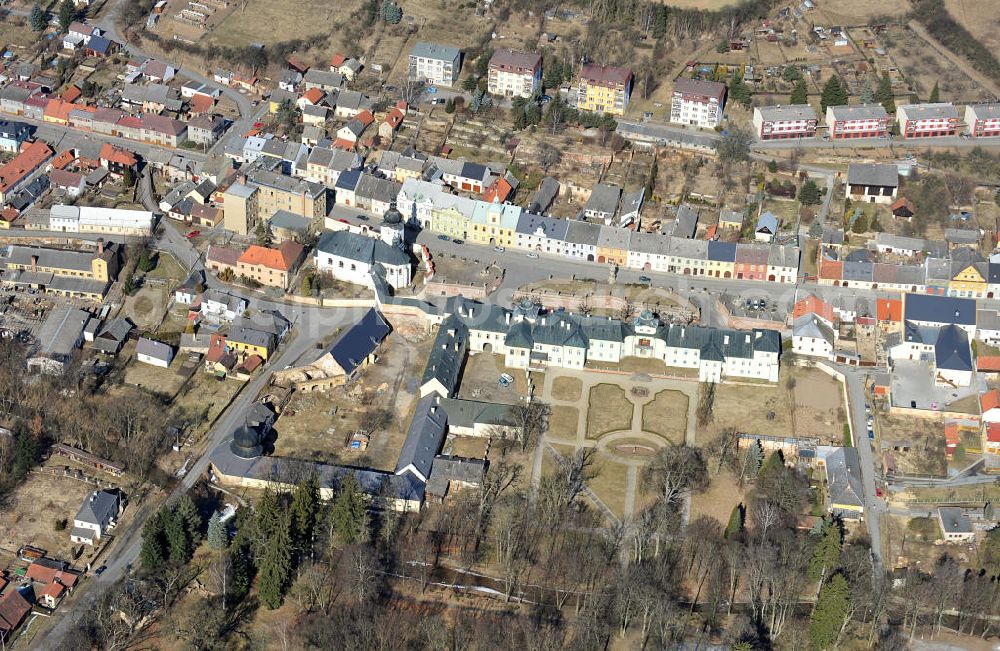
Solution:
(433, 208)
